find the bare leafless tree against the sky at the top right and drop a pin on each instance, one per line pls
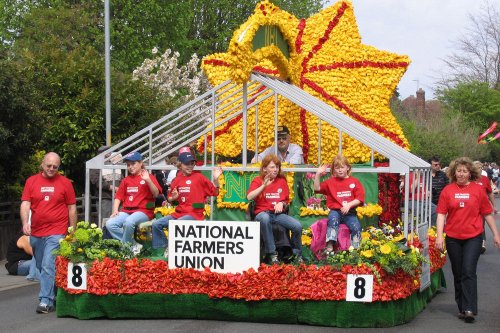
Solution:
(478, 51)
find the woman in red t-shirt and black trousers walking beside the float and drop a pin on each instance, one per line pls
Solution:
(463, 204)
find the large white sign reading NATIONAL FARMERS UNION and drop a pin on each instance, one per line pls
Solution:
(223, 246)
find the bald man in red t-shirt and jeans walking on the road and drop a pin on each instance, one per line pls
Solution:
(51, 199)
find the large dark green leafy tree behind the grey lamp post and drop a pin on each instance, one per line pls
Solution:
(65, 70)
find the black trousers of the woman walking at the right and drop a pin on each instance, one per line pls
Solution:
(464, 255)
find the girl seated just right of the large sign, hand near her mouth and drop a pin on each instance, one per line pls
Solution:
(270, 192)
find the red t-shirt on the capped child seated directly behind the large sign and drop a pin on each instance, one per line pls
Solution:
(193, 190)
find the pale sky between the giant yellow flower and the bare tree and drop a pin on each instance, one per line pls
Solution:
(422, 29)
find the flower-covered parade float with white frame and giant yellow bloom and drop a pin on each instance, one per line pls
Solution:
(316, 77)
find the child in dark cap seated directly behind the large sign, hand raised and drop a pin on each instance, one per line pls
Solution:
(190, 189)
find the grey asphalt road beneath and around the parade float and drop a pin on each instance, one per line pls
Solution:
(17, 312)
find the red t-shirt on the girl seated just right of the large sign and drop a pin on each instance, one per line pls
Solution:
(274, 192)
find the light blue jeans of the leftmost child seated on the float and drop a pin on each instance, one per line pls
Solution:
(123, 225)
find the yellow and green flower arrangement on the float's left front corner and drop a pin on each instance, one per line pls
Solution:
(85, 244)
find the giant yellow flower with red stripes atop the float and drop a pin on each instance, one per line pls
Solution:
(324, 56)
